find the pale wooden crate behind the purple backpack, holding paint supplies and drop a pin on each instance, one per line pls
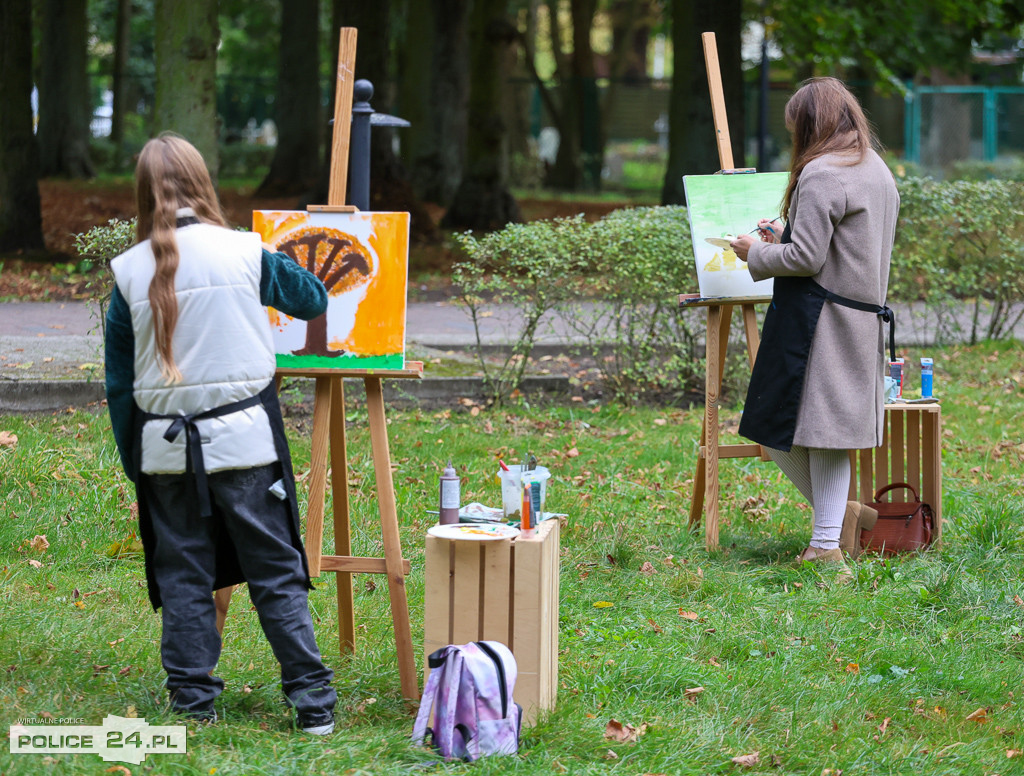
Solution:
(503, 591)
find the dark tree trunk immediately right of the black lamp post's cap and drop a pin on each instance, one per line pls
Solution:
(435, 92)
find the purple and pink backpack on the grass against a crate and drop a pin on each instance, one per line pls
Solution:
(471, 693)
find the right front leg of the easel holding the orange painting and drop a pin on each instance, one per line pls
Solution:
(393, 543)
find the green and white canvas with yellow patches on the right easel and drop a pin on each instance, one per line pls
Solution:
(720, 207)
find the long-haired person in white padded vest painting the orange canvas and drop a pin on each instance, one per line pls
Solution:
(195, 414)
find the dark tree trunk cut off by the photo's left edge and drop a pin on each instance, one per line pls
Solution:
(21, 223)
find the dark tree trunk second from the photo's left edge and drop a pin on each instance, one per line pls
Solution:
(64, 92)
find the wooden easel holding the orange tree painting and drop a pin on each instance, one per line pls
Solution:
(329, 439)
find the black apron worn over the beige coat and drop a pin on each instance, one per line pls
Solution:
(778, 378)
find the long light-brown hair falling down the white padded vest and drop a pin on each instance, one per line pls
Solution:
(170, 175)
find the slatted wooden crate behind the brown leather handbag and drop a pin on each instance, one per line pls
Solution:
(911, 452)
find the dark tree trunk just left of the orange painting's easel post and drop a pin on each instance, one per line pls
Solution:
(295, 166)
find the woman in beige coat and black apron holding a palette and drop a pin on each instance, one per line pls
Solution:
(817, 387)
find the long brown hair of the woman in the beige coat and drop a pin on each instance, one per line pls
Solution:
(825, 118)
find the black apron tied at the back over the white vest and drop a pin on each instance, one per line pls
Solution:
(229, 572)
